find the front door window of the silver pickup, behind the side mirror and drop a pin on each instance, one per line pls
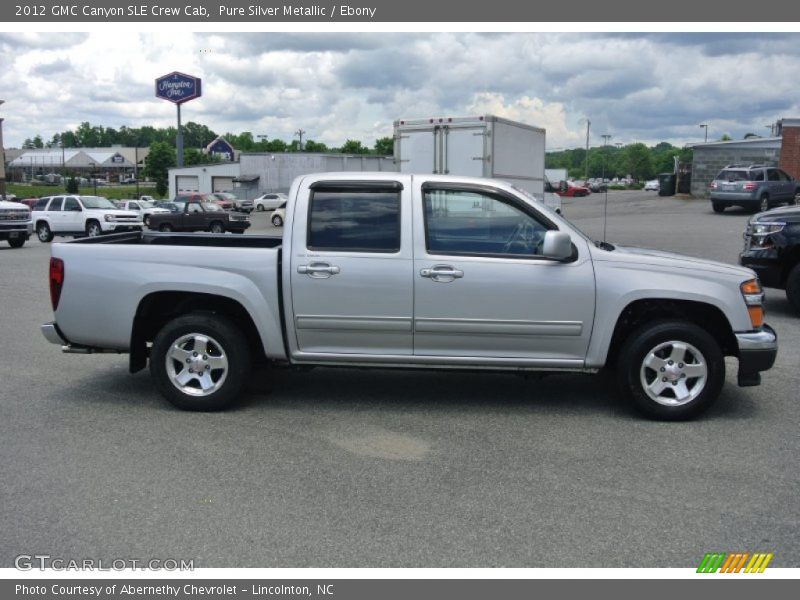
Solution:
(467, 222)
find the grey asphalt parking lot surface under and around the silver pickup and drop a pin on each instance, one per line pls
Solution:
(348, 468)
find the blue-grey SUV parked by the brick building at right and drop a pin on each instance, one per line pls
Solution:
(754, 187)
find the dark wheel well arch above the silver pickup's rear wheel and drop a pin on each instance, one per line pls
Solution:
(157, 309)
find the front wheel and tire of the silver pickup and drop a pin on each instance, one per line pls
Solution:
(658, 354)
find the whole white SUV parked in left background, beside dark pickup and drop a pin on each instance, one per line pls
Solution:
(80, 215)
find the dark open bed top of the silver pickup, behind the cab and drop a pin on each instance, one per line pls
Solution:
(217, 240)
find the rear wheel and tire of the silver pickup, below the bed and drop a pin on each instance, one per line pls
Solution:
(212, 344)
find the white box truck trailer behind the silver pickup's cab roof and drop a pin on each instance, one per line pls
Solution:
(482, 146)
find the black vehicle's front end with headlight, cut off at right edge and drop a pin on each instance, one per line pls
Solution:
(772, 249)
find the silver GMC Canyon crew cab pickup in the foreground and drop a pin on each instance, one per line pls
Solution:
(410, 271)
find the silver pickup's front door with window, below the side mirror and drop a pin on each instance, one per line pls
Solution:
(483, 289)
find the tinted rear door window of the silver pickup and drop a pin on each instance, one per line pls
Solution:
(354, 220)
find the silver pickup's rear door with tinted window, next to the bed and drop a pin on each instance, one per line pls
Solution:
(351, 269)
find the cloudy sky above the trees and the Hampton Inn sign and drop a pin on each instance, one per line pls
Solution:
(635, 87)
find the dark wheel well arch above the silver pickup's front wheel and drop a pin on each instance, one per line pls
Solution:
(709, 317)
